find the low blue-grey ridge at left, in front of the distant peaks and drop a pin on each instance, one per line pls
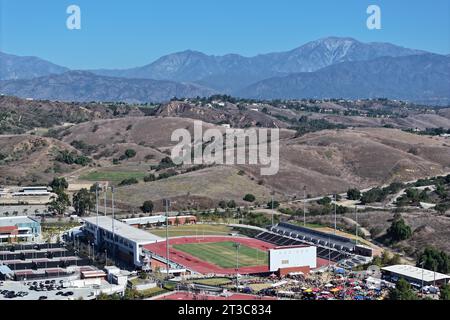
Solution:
(85, 86)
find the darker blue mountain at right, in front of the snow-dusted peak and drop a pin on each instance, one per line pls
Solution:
(421, 78)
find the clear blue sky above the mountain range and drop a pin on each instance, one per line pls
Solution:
(120, 34)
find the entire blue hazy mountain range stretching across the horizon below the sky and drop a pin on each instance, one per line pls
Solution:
(329, 67)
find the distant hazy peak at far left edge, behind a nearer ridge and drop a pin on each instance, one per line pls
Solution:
(15, 67)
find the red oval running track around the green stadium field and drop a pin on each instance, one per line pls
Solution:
(194, 263)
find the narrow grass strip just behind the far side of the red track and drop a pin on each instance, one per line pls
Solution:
(194, 230)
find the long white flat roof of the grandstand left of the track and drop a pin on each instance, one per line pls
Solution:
(123, 230)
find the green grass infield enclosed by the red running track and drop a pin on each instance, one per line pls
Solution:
(223, 254)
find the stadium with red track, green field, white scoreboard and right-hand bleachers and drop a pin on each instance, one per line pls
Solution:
(281, 250)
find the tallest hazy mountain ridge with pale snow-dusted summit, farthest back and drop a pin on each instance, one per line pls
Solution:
(232, 71)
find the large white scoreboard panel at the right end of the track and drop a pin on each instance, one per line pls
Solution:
(292, 257)
